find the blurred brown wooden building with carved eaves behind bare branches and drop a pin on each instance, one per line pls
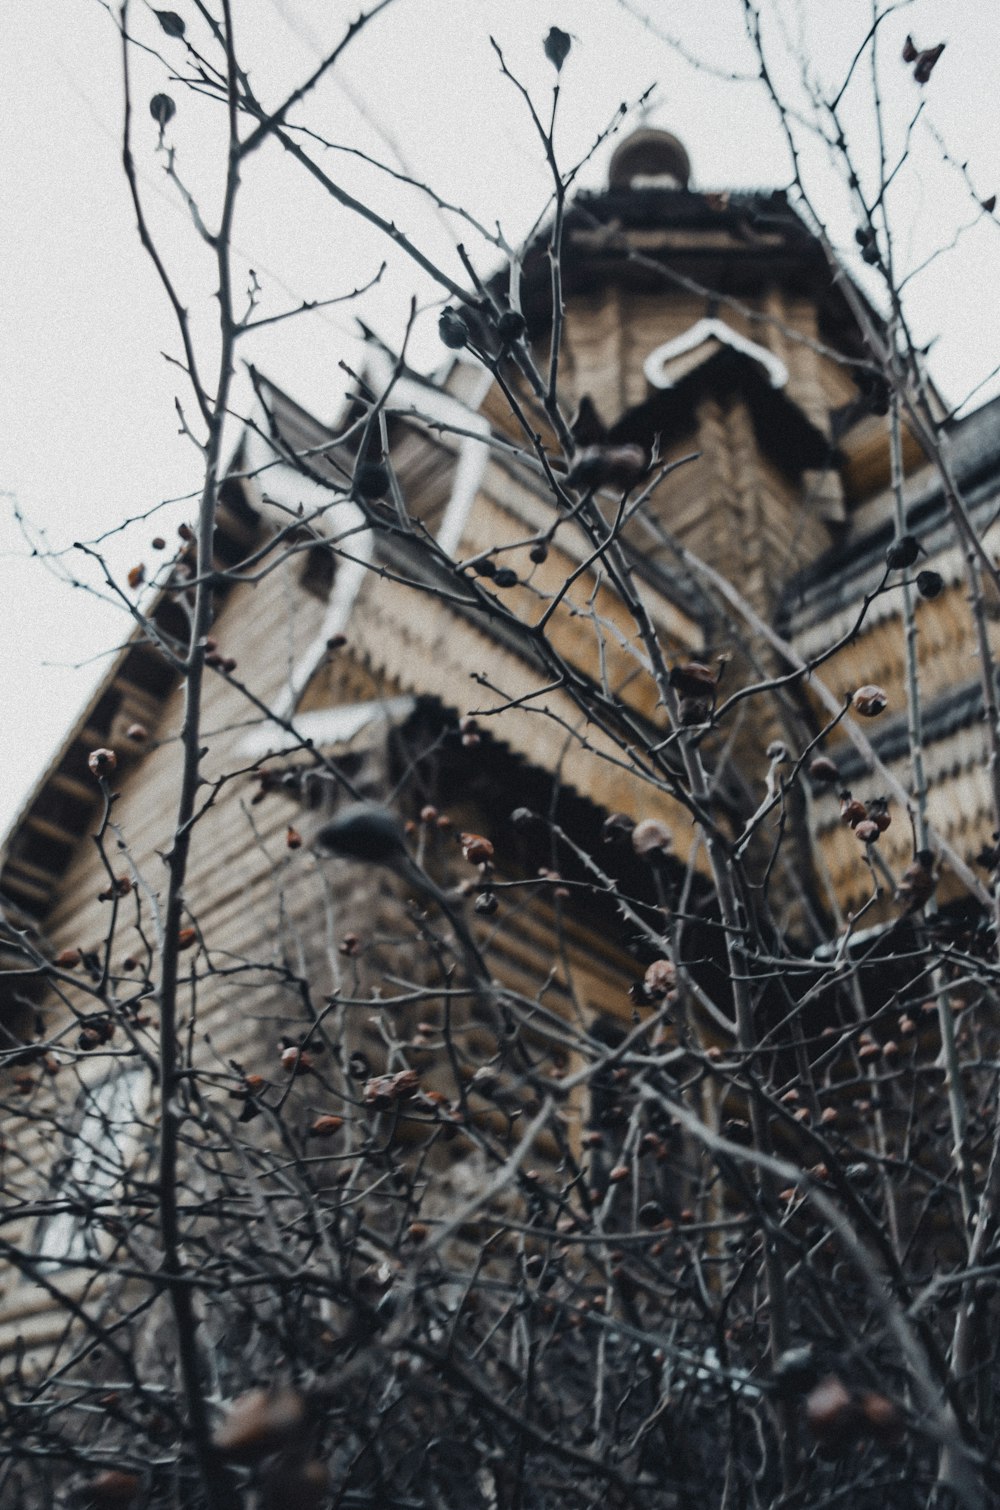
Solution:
(705, 327)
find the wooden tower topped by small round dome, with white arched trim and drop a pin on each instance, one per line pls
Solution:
(709, 324)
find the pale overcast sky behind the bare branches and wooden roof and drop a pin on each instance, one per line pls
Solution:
(90, 433)
